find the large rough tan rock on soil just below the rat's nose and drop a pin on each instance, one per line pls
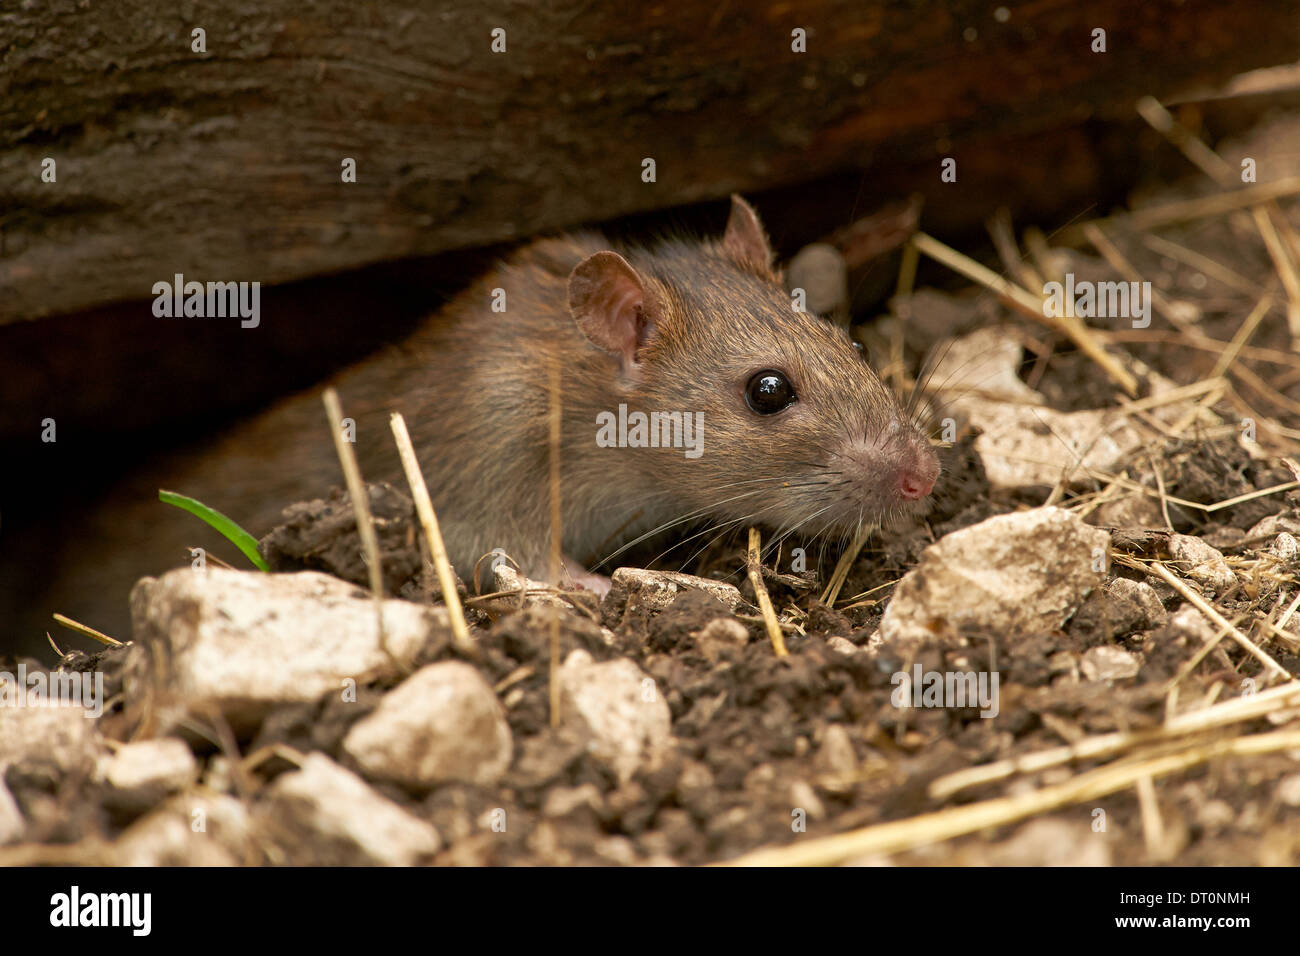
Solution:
(1011, 576)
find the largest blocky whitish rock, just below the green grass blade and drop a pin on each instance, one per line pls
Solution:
(242, 642)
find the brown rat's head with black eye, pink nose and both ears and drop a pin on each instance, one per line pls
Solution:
(798, 429)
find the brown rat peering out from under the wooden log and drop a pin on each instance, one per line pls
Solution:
(692, 391)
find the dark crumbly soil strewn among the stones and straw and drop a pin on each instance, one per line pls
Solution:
(759, 736)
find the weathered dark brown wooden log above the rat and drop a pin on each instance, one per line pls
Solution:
(227, 165)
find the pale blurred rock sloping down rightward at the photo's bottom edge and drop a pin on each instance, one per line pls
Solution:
(324, 815)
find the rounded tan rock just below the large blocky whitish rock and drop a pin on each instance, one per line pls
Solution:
(443, 724)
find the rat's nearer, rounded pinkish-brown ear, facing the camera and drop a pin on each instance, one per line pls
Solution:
(612, 305)
